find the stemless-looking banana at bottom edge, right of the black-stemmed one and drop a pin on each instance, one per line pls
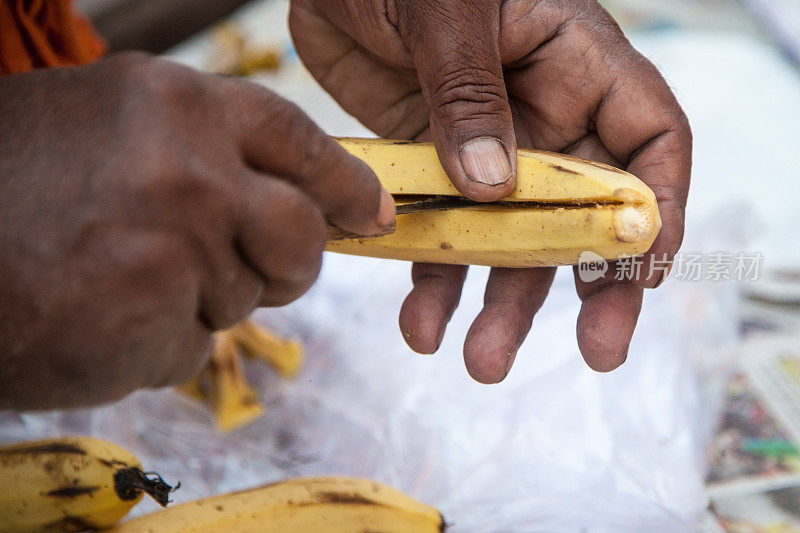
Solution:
(330, 505)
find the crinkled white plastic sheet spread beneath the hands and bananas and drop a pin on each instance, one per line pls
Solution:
(555, 447)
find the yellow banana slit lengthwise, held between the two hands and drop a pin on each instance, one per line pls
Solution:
(561, 207)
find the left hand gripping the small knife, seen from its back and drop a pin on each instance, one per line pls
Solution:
(143, 206)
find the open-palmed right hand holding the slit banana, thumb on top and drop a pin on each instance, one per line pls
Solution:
(481, 78)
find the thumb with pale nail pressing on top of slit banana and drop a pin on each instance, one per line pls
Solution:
(455, 45)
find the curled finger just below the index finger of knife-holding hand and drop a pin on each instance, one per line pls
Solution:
(280, 235)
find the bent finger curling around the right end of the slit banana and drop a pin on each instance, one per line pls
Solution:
(640, 122)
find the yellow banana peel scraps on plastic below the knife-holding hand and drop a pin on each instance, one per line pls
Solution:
(221, 383)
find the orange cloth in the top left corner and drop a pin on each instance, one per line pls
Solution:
(44, 33)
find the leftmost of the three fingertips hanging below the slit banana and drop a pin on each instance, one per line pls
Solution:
(430, 305)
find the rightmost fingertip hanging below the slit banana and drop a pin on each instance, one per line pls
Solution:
(606, 321)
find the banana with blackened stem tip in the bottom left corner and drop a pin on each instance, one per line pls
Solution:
(71, 484)
